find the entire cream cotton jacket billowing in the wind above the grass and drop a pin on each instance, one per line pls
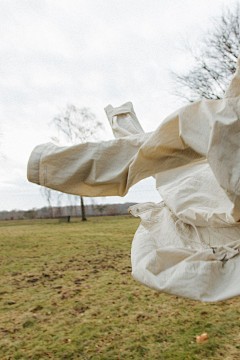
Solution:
(187, 245)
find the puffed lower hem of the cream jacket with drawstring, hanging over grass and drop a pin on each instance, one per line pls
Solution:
(167, 262)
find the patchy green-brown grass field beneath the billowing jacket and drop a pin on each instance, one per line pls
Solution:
(66, 292)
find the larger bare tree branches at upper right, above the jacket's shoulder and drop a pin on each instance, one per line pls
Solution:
(215, 59)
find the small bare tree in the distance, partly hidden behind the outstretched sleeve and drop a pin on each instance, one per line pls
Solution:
(77, 125)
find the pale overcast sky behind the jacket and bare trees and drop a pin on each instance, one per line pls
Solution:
(90, 53)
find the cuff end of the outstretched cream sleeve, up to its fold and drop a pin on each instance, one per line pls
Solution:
(90, 169)
